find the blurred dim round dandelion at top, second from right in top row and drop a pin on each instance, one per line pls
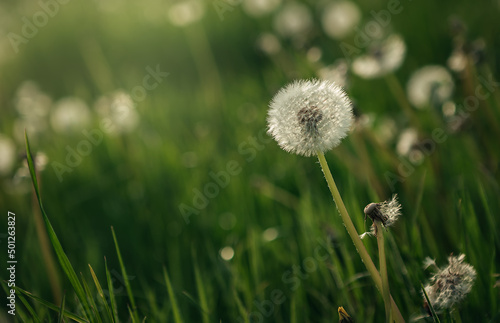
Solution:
(292, 20)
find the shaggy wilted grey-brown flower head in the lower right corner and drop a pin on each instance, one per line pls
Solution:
(451, 284)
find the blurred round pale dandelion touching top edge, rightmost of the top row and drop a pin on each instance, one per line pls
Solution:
(339, 18)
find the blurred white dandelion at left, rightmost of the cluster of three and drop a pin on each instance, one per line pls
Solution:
(118, 111)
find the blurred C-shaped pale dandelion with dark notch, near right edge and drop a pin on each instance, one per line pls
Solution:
(430, 85)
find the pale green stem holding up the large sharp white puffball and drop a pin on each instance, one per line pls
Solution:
(360, 247)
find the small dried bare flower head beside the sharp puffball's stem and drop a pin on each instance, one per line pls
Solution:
(387, 213)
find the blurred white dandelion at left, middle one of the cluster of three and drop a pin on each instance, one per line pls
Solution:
(70, 115)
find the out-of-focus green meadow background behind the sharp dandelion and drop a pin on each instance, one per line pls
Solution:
(151, 117)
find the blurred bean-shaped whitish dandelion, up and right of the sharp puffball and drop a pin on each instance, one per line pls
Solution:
(384, 57)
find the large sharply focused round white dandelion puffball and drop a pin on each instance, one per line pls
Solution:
(308, 116)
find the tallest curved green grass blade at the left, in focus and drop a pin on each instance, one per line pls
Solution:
(61, 256)
